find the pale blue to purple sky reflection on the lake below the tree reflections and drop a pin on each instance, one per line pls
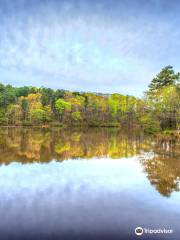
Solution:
(98, 198)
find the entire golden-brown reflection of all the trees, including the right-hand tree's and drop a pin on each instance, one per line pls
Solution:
(27, 145)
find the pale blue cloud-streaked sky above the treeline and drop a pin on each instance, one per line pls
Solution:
(88, 45)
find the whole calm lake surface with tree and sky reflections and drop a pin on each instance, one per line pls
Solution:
(91, 184)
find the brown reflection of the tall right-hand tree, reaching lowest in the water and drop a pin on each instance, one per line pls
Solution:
(163, 169)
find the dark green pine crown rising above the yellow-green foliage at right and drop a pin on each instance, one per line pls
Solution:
(166, 77)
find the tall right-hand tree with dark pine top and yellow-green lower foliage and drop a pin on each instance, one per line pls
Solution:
(163, 99)
